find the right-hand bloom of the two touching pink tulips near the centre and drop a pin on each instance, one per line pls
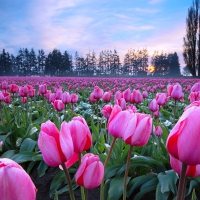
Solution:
(137, 129)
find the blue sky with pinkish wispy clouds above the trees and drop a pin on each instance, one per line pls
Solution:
(94, 25)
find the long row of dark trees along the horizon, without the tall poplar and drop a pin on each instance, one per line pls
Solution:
(107, 63)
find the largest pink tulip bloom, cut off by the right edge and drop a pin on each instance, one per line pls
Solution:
(183, 140)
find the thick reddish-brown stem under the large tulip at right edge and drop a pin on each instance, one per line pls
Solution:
(182, 185)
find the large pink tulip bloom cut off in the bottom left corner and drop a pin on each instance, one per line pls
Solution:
(15, 182)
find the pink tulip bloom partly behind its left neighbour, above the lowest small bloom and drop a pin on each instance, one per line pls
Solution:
(81, 136)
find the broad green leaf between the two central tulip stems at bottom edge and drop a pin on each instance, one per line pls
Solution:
(116, 187)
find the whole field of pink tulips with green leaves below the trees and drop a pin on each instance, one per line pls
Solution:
(129, 137)
